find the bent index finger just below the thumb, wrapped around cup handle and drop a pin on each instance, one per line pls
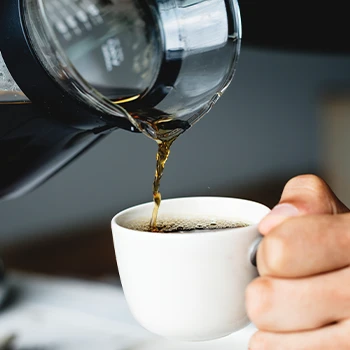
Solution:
(305, 246)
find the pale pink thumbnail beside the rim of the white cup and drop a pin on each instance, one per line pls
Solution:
(277, 215)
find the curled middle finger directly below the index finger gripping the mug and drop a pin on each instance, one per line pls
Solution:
(286, 305)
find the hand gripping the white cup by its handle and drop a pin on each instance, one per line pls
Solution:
(301, 300)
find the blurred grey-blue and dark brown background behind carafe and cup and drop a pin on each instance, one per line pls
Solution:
(285, 113)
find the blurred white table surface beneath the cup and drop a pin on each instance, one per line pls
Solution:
(62, 313)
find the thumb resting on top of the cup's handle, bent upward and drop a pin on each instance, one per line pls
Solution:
(304, 194)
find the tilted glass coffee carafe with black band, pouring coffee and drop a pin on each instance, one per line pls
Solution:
(72, 71)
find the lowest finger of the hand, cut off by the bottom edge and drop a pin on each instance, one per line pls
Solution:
(335, 336)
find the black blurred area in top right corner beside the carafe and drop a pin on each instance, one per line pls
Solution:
(309, 26)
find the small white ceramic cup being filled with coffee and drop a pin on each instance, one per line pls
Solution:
(189, 286)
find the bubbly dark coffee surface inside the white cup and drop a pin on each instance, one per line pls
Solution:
(184, 225)
